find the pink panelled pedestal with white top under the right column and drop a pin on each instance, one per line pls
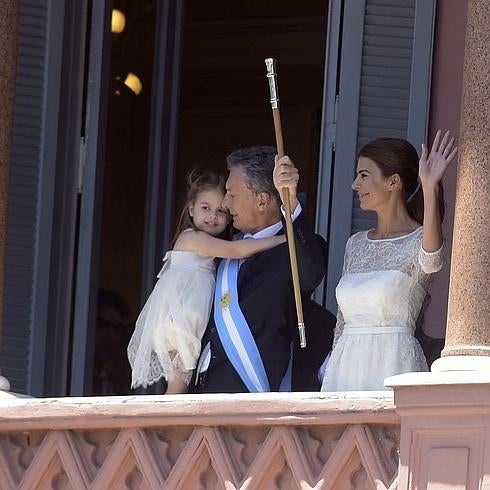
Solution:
(445, 429)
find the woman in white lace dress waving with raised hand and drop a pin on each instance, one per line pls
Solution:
(386, 269)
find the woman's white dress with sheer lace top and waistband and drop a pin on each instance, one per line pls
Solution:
(380, 295)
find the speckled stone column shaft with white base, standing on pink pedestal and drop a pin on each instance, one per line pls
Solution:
(468, 323)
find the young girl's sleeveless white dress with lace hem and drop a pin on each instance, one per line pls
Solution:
(168, 332)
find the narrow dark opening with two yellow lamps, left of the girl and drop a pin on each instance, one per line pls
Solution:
(124, 191)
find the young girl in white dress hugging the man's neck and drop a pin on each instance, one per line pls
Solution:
(167, 338)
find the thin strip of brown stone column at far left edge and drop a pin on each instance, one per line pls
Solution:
(8, 56)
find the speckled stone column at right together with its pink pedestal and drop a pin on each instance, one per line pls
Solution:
(445, 414)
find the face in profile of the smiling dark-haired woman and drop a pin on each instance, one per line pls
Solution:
(373, 189)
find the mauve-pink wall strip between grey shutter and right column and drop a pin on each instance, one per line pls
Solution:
(447, 80)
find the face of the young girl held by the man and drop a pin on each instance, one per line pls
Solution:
(207, 213)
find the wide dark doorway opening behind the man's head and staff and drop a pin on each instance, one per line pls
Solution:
(224, 95)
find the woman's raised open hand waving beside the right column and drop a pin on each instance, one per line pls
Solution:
(433, 165)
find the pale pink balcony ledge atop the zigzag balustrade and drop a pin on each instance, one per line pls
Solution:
(203, 410)
